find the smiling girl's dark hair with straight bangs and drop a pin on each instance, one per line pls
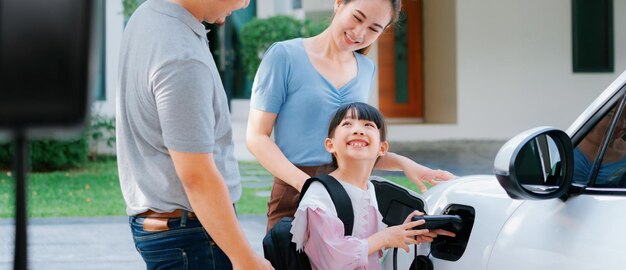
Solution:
(358, 111)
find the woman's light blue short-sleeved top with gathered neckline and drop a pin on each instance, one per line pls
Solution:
(287, 84)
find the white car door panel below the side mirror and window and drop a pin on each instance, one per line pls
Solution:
(552, 234)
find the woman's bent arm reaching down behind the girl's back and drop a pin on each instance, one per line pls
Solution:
(260, 125)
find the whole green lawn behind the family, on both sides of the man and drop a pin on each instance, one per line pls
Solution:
(94, 191)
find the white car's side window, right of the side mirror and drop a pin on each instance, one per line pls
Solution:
(600, 157)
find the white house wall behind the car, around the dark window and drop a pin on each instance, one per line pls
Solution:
(513, 69)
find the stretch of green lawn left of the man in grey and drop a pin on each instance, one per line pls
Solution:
(90, 191)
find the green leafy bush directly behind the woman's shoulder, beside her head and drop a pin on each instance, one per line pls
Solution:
(258, 34)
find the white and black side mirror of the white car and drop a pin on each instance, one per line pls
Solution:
(536, 164)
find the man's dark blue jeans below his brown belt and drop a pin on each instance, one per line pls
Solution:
(185, 246)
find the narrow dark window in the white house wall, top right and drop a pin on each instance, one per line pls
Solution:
(592, 33)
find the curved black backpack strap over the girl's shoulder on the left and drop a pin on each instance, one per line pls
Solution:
(338, 195)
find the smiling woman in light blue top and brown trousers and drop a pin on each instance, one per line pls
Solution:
(299, 86)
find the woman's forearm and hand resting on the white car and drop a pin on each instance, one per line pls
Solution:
(414, 171)
